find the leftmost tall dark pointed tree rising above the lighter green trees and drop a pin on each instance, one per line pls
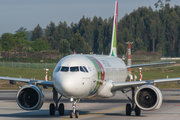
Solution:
(37, 33)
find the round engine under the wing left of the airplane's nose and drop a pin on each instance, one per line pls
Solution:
(30, 97)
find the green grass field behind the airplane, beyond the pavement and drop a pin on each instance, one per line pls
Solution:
(148, 74)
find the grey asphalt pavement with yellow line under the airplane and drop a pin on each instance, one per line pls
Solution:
(106, 109)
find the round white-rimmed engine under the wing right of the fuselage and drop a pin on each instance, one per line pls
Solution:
(148, 97)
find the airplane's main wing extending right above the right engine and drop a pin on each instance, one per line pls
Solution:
(123, 85)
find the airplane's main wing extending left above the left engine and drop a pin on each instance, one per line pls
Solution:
(38, 82)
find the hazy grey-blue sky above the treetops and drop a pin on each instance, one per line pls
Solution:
(28, 13)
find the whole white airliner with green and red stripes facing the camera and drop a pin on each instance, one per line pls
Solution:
(80, 76)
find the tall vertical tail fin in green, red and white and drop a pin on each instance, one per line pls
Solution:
(113, 51)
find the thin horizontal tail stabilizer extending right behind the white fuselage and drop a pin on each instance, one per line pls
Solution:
(150, 64)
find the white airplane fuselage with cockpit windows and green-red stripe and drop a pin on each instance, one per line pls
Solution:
(88, 76)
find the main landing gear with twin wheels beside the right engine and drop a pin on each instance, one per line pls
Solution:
(131, 107)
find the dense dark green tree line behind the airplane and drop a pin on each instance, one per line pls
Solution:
(149, 30)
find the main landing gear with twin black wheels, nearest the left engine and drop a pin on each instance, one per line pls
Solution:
(53, 107)
